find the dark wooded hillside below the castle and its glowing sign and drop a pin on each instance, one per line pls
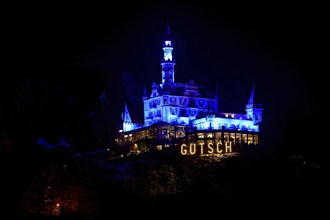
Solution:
(60, 184)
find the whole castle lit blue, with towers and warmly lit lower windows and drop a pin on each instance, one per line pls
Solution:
(180, 114)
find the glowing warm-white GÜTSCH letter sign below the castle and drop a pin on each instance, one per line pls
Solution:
(202, 148)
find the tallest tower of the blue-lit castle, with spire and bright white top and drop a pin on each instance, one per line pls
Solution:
(167, 62)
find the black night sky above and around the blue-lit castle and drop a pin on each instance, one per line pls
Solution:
(277, 46)
